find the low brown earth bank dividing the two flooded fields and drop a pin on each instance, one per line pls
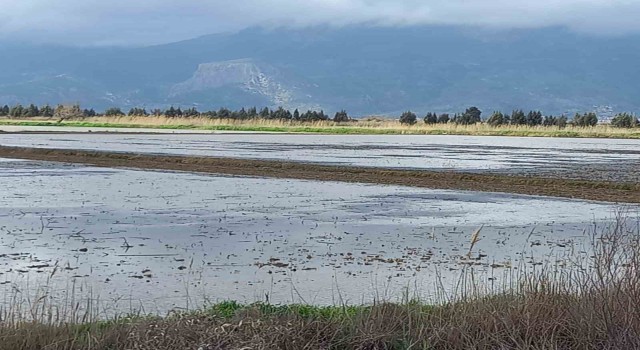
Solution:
(619, 192)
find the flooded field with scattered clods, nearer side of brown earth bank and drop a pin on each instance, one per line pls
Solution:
(162, 240)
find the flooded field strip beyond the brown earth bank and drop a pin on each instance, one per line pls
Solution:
(594, 159)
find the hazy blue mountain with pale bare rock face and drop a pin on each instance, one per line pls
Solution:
(366, 70)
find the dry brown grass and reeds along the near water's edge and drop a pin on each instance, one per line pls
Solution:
(590, 306)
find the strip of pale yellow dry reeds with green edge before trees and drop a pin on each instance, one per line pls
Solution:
(375, 127)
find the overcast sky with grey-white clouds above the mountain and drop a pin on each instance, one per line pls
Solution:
(144, 22)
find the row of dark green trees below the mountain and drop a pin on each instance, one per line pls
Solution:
(471, 115)
